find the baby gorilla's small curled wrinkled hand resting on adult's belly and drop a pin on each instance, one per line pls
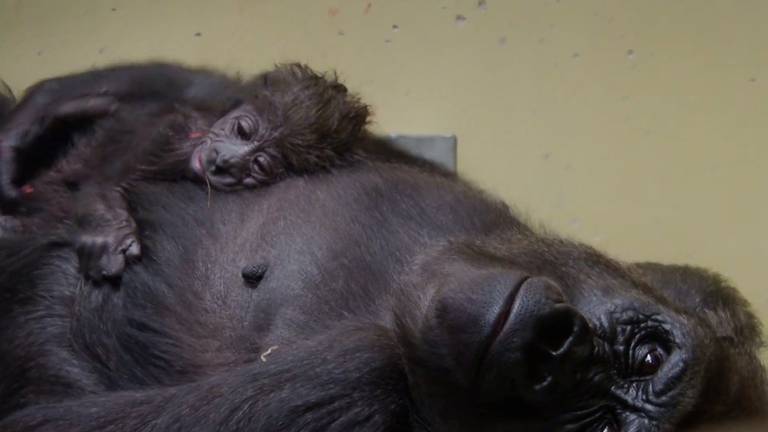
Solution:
(103, 254)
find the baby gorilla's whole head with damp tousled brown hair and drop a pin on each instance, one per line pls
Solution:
(294, 121)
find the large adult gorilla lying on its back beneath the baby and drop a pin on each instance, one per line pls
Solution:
(395, 299)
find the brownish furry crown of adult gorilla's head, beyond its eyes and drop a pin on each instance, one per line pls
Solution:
(735, 384)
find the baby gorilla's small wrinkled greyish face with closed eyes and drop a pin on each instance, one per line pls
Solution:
(236, 153)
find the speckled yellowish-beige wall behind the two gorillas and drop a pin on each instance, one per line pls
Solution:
(638, 126)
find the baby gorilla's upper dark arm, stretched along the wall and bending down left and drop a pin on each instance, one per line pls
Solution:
(70, 103)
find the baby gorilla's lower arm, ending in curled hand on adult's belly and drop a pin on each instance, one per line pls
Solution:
(81, 198)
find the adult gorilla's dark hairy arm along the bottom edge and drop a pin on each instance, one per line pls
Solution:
(350, 379)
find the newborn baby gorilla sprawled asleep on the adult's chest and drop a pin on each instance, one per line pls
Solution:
(163, 121)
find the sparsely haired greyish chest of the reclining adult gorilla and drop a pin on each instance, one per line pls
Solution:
(333, 247)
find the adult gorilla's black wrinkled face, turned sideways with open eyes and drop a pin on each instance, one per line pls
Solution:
(584, 345)
